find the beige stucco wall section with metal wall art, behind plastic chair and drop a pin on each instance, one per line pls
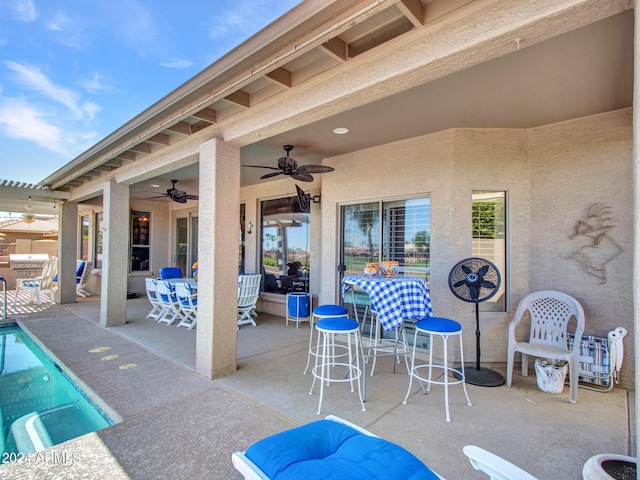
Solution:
(573, 166)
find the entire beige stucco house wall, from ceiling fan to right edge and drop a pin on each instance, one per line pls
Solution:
(551, 175)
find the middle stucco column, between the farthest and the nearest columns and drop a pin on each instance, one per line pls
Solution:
(115, 255)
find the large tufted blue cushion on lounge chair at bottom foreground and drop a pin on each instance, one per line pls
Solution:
(327, 450)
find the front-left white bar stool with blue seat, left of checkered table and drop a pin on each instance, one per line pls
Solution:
(327, 359)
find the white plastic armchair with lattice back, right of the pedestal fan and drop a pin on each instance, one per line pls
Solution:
(550, 313)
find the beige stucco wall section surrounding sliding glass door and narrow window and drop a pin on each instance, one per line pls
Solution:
(447, 167)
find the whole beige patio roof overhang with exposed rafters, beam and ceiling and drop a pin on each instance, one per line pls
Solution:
(472, 63)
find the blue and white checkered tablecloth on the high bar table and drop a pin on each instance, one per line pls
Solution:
(394, 299)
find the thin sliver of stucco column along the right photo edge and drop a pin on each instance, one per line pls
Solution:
(636, 215)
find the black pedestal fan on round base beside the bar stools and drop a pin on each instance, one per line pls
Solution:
(475, 280)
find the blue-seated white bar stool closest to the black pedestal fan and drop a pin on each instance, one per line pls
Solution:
(445, 328)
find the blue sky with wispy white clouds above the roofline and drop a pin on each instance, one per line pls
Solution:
(73, 71)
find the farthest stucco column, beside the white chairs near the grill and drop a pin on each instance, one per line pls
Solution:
(67, 252)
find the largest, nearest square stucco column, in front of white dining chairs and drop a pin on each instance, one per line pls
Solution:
(218, 227)
